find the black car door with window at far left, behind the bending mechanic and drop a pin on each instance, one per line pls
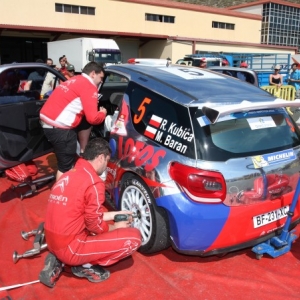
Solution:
(21, 135)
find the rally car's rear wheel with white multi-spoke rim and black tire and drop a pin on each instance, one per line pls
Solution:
(152, 221)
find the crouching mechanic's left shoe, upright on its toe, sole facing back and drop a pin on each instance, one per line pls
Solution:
(52, 269)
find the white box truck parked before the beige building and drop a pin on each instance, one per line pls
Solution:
(80, 51)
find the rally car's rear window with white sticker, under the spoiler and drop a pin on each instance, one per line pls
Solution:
(246, 136)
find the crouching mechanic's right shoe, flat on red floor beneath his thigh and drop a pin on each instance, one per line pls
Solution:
(93, 274)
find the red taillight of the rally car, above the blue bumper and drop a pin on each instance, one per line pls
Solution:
(199, 185)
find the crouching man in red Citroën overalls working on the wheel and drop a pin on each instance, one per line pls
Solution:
(76, 228)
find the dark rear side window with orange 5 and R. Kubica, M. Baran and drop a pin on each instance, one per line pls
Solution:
(161, 120)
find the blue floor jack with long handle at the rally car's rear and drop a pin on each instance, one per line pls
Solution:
(279, 245)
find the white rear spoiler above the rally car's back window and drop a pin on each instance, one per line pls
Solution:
(214, 112)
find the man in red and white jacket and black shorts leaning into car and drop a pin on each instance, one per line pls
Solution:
(62, 113)
